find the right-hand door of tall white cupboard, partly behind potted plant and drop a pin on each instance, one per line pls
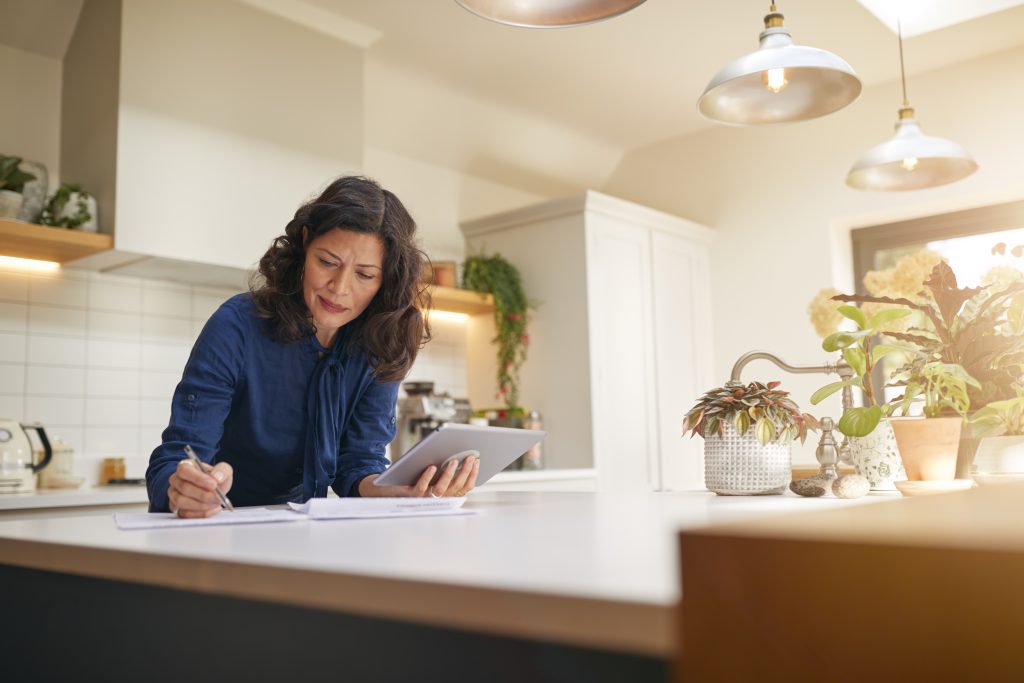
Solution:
(684, 352)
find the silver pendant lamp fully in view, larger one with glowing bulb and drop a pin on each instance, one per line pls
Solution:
(780, 83)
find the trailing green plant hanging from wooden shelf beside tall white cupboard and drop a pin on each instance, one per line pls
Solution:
(495, 276)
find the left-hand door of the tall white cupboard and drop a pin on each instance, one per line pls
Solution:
(622, 361)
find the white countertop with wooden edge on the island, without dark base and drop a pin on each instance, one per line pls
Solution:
(598, 570)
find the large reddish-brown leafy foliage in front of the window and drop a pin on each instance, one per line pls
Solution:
(965, 327)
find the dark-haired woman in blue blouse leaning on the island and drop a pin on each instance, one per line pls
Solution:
(291, 389)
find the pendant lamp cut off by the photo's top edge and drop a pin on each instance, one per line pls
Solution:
(548, 14)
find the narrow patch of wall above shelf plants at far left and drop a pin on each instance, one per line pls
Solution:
(30, 118)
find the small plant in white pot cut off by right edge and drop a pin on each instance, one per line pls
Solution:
(1000, 426)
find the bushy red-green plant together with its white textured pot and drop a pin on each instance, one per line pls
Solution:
(748, 432)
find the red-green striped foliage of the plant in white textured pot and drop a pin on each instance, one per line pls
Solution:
(774, 416)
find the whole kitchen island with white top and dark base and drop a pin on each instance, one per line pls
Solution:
(535, 586)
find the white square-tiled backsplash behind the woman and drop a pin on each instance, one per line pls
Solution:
(96, 358)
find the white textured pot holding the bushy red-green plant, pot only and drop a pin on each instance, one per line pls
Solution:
(741, 466)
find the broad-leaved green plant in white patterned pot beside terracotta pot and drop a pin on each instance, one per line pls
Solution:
(873, 446)
